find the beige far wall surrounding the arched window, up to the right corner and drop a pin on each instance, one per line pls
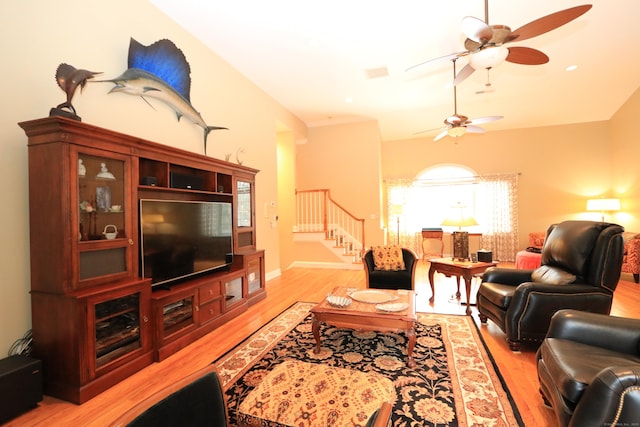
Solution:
(560, 166)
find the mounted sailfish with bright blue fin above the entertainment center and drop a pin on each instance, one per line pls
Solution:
(161, 71)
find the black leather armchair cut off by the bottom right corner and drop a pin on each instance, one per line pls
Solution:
(589, 369)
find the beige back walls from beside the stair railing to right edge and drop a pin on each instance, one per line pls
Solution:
(560, 167)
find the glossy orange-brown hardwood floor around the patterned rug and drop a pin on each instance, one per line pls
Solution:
(518, 369)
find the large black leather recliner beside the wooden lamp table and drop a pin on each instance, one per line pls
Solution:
(522, 307)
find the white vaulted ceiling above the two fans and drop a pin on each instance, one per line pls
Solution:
(269, 42)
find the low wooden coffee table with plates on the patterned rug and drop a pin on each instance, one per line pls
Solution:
(364, 316)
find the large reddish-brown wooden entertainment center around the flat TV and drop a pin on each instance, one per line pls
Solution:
(95, 320)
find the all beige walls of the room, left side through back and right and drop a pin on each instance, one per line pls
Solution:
(560, 165)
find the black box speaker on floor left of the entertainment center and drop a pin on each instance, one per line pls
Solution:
(20, 385)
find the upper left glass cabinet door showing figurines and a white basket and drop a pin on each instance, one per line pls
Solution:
(103, 227)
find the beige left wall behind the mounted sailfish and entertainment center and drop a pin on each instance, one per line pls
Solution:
(39, 35)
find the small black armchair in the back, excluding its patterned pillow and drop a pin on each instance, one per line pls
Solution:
(391, 279)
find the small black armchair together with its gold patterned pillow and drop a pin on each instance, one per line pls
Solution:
(399, 276)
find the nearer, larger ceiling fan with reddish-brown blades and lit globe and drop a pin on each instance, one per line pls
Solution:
(485, 43)
